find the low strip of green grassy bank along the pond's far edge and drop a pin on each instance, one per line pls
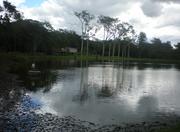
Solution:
(19, 57)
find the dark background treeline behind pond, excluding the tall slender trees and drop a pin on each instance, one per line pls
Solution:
(30, 36)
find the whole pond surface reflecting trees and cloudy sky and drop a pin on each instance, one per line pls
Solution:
(104, 93)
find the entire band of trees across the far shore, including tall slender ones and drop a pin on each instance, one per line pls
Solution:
(30, 36)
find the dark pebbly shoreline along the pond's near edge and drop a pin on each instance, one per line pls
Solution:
(31, 121)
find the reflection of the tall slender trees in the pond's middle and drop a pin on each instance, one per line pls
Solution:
(107, 82)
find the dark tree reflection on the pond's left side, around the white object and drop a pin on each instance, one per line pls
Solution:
(35, 79)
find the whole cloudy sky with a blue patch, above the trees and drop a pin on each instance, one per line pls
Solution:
(157, 18)
